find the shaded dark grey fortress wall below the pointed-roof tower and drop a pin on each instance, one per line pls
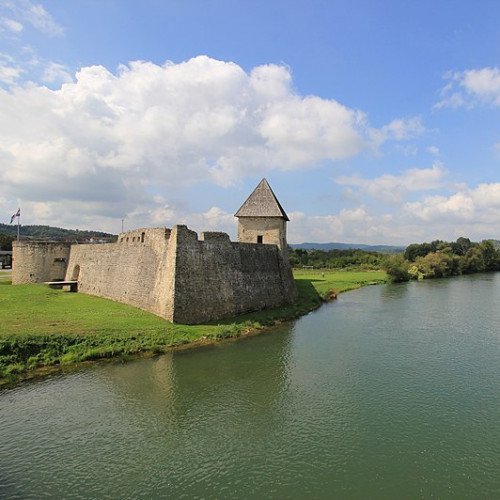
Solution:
(217, 278)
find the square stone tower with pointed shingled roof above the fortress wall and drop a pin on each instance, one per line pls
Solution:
(261, 219)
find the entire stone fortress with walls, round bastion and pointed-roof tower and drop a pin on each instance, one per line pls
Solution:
(173, 273)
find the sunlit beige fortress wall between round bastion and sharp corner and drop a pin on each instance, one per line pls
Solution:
(134, 270)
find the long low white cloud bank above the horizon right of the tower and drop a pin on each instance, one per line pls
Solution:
(471, 211)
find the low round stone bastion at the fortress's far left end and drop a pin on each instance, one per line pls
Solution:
(36, 262)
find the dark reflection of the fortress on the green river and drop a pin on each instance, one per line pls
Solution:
(184, 380)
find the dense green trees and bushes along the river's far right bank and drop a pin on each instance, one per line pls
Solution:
(439, 259)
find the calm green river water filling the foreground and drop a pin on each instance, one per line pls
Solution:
(391, 392)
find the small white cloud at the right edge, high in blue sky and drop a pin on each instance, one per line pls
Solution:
(471, 87)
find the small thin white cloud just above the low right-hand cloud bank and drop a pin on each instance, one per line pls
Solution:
(393, 188)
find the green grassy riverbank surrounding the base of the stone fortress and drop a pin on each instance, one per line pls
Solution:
(43, 327)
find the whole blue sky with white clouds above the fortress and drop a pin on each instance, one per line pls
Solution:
(374, 121)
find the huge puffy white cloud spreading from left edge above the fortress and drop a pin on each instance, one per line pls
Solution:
(107, 139)
